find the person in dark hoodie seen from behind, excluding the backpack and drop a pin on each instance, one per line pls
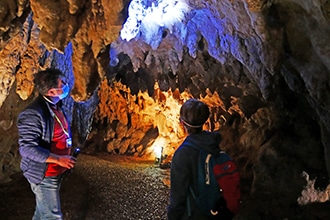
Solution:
(184, 166)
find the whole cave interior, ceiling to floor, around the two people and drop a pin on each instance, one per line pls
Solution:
(262, 67)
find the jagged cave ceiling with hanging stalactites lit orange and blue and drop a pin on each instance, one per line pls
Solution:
(257, 47)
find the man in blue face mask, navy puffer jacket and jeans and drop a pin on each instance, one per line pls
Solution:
(45, 143)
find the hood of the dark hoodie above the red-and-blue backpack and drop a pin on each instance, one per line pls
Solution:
(209, 141)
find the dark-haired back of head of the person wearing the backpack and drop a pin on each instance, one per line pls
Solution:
(193, 114)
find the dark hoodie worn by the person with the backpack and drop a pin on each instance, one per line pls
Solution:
(184, 173)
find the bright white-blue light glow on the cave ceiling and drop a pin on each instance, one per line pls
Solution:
(151, 15)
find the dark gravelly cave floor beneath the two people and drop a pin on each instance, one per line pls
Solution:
(111, 187)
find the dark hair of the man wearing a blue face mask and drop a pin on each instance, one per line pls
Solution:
(47, 79)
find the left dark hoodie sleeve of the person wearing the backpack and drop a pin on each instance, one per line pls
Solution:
(181, 177)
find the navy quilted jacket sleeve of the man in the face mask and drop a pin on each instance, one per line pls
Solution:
(30, 130)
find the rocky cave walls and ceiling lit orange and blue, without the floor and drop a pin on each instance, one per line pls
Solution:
(262, 66)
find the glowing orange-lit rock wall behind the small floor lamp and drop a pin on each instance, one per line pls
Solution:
(135, 117)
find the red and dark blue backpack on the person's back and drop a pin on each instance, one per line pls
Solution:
(218, 185)
